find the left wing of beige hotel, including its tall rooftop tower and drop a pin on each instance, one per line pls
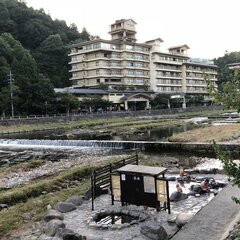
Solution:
(116, 63)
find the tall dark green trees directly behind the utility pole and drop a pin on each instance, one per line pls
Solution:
(28, 80)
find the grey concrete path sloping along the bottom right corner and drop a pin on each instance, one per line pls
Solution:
(213, 221)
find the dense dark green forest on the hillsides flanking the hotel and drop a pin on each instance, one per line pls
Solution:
(34, 47)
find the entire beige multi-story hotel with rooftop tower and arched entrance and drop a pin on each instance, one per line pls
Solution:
(137, 70)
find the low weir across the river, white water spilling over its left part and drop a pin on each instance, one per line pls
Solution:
(149, 146)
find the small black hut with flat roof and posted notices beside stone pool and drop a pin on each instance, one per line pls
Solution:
(141, 185)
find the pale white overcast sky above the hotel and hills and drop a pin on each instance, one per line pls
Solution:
(208, 27)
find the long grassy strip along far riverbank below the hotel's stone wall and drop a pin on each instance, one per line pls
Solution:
(104, 122)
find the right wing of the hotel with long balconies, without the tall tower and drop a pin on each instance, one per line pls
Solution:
(174, 72)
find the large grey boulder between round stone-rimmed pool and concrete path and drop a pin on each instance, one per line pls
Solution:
(154, 230)
